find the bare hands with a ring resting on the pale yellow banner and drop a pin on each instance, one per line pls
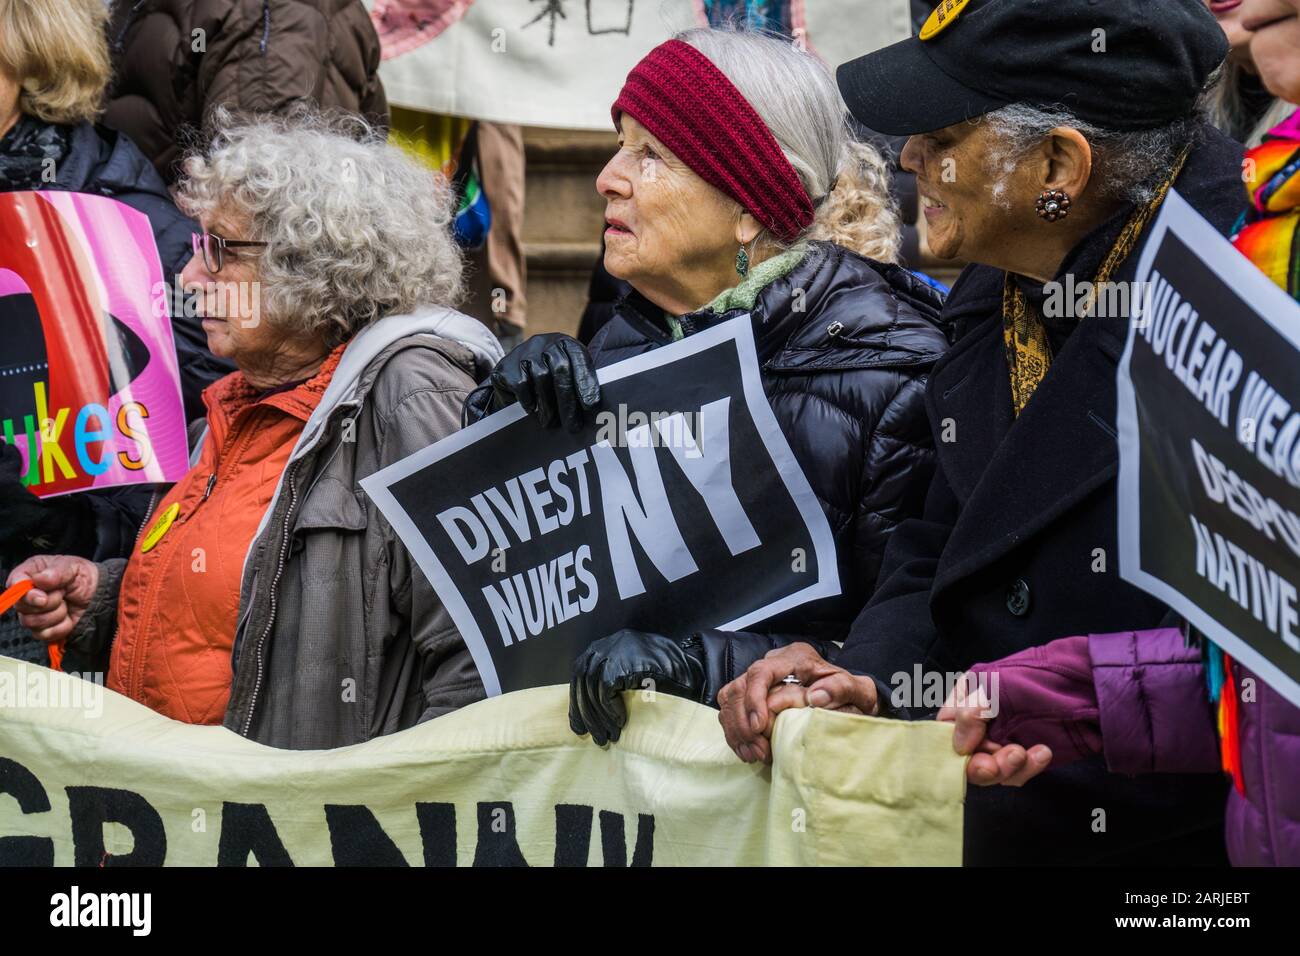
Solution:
(751, 704)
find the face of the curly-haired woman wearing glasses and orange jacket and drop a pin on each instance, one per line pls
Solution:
(229, 301)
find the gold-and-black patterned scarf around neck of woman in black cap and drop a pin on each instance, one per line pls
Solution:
(1029, 352)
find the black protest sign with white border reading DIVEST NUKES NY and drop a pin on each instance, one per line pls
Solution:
(678, 508)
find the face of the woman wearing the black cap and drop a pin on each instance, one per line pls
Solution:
(969, 206)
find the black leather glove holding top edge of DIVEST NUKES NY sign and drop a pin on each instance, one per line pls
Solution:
(551, 375)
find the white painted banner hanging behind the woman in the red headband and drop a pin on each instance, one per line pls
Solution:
(562, 63)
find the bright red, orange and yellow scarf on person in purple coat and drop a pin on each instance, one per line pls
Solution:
(1267, 236)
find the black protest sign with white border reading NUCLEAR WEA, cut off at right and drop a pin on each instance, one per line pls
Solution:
(1210, 445)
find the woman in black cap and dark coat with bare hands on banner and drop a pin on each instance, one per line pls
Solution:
(1045, 137)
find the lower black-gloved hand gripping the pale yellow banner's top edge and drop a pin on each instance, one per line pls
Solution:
(629, 661)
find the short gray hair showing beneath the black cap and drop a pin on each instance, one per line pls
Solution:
(1128, 165)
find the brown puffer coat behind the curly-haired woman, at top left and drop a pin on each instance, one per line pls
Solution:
(177, 60)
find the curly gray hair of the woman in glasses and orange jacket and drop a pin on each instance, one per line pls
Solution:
(356, 230)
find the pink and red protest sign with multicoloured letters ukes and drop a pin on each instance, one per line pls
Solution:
(90, 387)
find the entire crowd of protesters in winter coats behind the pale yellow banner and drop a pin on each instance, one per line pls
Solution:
(961, 443)
